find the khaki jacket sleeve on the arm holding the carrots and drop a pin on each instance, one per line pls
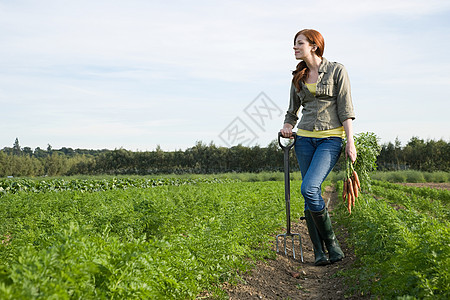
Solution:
(344, 97)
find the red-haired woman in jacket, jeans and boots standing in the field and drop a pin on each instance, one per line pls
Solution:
(322, 89)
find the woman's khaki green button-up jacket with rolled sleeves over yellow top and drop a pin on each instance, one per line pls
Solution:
(332, 104)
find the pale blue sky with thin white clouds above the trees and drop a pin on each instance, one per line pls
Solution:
(142, 74)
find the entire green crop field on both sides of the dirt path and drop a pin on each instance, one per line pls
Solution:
(183, 238)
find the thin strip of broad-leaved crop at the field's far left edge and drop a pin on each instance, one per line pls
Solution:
(95, 185)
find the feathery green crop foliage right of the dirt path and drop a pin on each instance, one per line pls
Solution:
(401, 238)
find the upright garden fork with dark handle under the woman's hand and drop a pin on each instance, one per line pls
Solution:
(287, 195)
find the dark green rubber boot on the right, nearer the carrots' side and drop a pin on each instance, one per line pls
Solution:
(323, 224)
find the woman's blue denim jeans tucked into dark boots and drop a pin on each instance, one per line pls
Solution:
(316, 158)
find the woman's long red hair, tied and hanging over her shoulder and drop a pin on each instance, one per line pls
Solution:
(314, 38)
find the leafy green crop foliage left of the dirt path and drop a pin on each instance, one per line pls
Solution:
(169, 241)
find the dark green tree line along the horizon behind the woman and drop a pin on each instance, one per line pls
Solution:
(202, 158)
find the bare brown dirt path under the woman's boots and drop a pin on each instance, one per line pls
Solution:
(286, 278)
